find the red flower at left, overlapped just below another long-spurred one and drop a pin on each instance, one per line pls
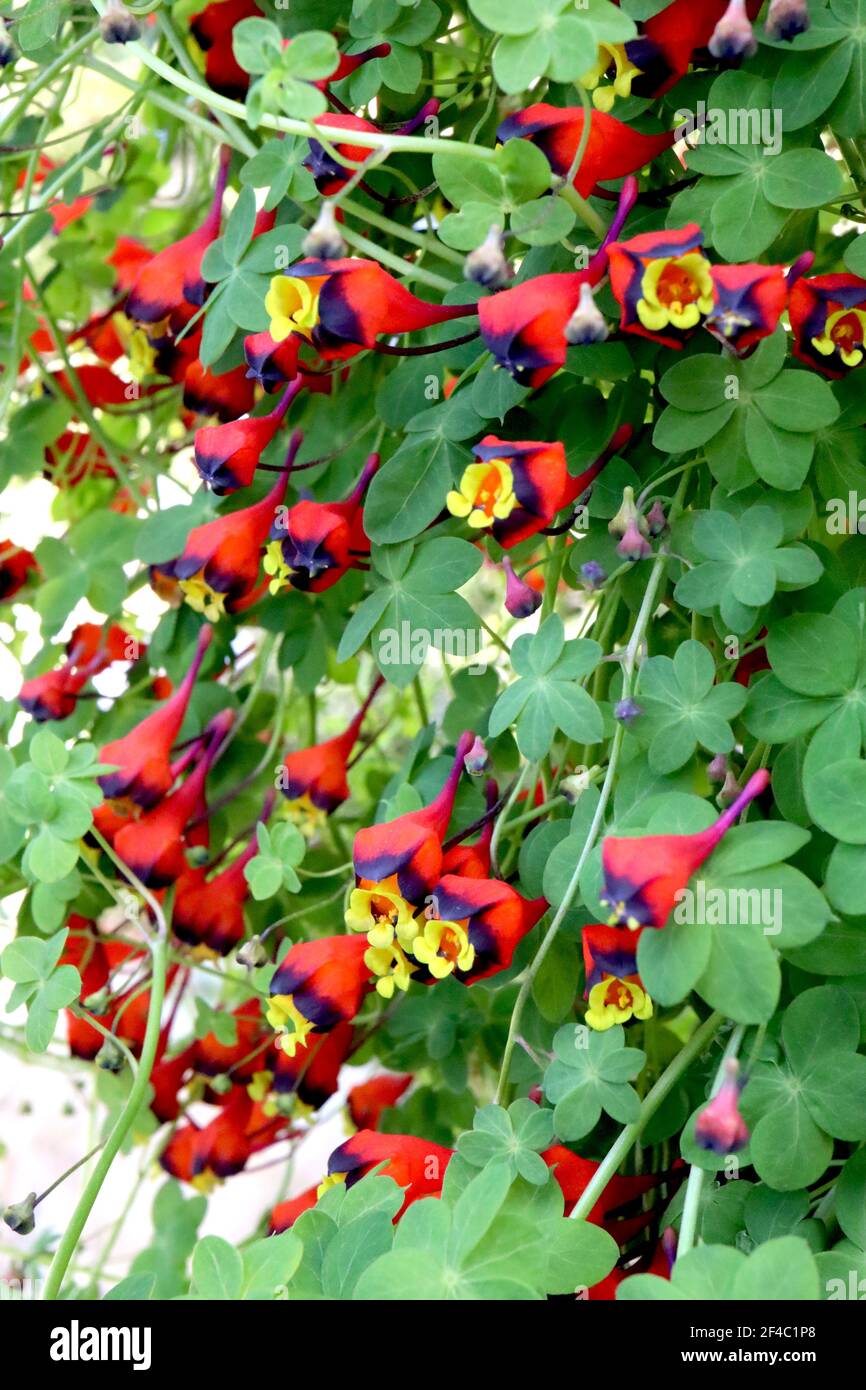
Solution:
(152, 847)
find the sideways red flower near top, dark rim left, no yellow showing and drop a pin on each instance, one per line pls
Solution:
(612, 152)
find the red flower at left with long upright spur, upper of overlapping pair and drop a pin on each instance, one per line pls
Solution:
(144, 755)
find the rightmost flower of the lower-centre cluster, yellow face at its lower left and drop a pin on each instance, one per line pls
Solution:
(473, 928)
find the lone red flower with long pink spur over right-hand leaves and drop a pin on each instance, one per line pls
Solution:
(644, 875)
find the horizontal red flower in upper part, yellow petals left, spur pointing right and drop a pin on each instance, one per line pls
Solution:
(343, 306)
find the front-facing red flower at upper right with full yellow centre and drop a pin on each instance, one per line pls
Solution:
(664, 284)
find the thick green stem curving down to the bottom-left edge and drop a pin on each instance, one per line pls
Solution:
(69, 1242)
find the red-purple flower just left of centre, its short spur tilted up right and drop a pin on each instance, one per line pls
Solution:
(315, 544)
